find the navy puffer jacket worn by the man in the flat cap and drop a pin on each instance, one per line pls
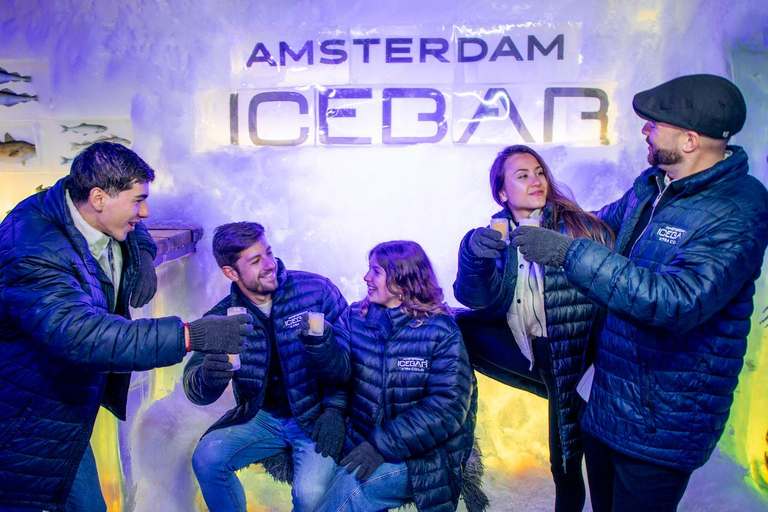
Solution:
(679, 309)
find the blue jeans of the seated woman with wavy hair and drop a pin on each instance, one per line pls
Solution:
(388, 487)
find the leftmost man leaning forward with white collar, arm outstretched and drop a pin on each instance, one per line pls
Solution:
(72, 260)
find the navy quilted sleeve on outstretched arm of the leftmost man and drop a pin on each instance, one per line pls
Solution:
(44, 294)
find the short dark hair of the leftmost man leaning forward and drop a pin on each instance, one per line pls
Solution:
(108, 166)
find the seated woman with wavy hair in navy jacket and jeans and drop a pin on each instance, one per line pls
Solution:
(412, 392)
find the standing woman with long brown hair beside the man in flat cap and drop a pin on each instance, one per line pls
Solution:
(530, 328)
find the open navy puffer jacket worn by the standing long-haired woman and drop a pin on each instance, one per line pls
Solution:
(489, 286)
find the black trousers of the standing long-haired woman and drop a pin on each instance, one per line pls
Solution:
(492, 348)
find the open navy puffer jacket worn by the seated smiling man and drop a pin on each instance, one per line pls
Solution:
(297, 293)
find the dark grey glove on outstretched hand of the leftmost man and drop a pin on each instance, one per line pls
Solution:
(220, 334)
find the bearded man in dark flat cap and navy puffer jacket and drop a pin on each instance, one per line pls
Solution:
(677, 294)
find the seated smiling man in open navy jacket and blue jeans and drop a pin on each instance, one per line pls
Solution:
(280, 406)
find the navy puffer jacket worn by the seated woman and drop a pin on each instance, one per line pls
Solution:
(413, 395)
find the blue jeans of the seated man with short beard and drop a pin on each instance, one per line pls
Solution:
(223, 451)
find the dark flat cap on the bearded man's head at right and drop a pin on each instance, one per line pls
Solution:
(707, 104)
